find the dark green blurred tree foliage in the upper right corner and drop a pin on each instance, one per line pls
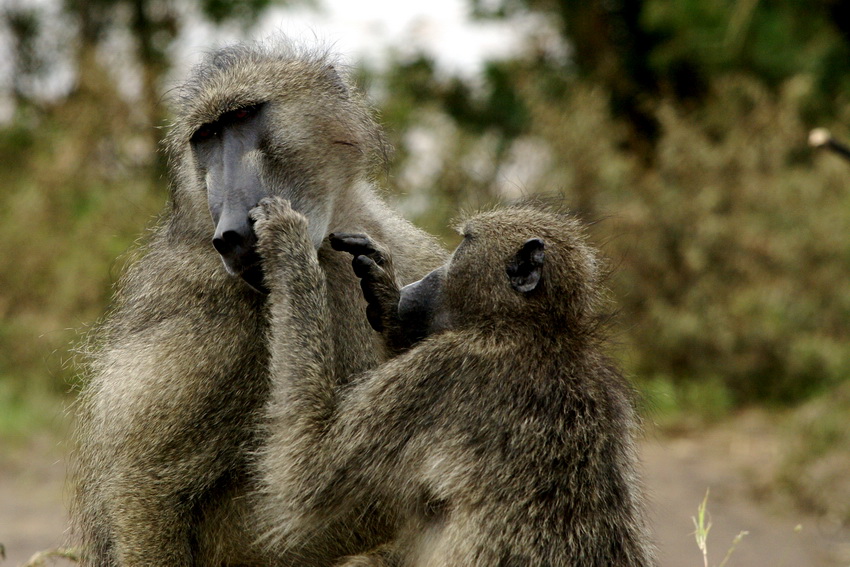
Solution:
(643, 50)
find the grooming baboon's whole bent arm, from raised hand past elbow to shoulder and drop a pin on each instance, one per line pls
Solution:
(339, 443)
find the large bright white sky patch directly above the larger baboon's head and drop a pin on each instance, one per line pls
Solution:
(371, 30)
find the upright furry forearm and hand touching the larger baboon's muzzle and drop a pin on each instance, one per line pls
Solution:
(304, 387)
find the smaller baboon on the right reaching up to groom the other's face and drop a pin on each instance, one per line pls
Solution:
(503, 438)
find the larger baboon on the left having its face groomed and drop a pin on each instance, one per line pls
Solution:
(170, 416)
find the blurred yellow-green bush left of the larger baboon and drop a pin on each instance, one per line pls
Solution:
(73, 202)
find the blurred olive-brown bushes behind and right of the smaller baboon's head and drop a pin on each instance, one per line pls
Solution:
(729, 253)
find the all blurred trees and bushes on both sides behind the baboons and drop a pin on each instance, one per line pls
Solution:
(680, 127)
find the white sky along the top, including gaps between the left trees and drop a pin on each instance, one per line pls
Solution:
(362, 31)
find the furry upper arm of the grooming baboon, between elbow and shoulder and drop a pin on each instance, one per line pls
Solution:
(376, 440)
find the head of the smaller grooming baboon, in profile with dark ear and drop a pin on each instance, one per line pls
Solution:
(521, 265)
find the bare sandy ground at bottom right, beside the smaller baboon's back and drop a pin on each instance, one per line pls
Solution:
(730, 461)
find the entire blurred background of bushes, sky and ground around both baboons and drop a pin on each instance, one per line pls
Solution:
(678, 128)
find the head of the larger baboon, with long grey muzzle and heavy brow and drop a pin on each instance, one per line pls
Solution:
(256, 120)
